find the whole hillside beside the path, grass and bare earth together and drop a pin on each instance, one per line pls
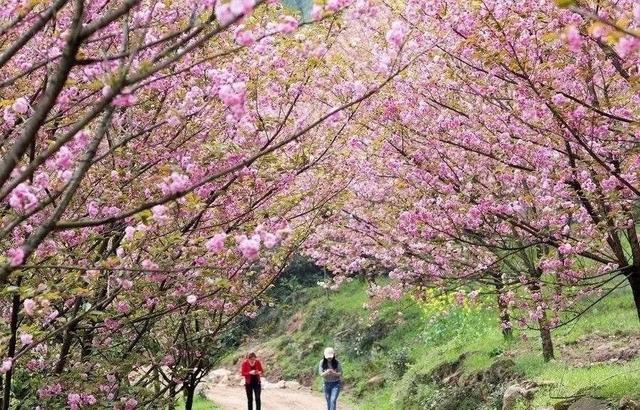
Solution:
(441, 355)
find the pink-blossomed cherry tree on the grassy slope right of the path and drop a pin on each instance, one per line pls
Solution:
(512, 144)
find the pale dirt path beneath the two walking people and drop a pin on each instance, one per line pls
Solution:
(234, 398)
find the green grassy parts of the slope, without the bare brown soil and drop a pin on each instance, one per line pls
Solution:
(404, 333)
